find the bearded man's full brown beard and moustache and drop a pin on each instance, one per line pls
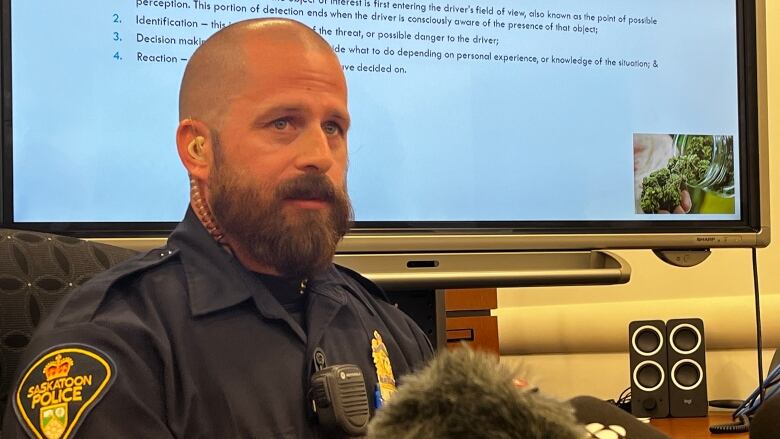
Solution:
(296, 243)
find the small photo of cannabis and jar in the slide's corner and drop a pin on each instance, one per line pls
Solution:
(684, 173)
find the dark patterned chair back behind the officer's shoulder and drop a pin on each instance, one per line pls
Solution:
(36, 271)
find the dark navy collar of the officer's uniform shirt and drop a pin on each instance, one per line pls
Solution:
(216, 279)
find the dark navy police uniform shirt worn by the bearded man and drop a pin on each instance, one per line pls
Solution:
(185, 342)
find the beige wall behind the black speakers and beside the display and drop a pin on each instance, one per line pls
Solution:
(572, 340)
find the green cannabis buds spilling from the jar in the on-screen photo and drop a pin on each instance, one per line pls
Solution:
(661, 189)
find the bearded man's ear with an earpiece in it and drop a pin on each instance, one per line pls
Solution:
(195, 147)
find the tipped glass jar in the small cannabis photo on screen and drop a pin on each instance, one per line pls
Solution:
(718, 178)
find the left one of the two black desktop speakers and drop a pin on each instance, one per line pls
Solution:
(648, 360)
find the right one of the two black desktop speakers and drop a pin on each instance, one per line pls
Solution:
(687, 368)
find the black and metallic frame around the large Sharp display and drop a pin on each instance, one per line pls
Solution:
(379, 237)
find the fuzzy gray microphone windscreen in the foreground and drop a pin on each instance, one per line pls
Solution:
(468, 394)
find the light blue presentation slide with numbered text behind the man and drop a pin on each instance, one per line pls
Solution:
(497, 110)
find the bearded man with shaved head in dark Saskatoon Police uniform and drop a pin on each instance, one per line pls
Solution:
(215, 334)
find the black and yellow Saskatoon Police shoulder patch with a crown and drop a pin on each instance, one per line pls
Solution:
(59, 389)
